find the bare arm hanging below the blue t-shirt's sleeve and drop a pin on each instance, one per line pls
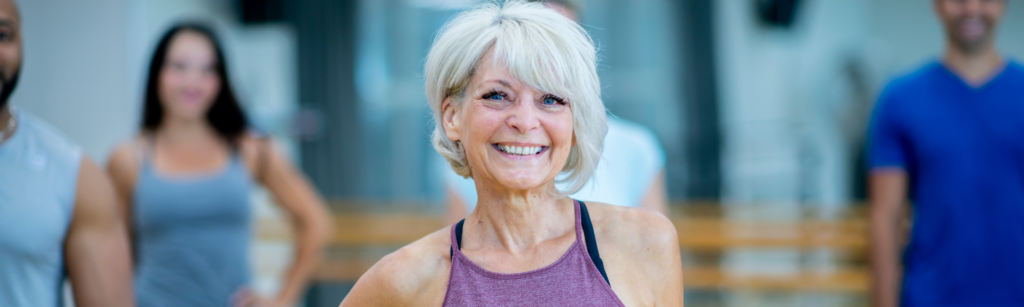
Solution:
(888, 193)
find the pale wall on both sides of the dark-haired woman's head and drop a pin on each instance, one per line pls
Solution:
(86, 62)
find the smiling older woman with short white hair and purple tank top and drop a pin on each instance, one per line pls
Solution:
(517, 99)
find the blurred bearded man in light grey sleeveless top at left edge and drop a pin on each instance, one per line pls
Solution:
(59, 214)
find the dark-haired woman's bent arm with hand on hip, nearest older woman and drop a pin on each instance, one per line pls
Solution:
(311, 221)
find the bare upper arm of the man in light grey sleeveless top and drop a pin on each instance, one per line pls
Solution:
(97, 248)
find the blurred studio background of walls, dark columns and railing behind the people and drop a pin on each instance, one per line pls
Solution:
(761, 107)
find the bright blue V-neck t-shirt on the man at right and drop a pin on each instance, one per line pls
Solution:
(963, 149)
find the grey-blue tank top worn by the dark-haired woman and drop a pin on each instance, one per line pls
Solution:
(192, 236)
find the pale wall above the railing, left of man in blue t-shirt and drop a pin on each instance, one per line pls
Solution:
(776, 102)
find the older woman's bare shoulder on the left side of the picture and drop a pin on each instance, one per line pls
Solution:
(416, 275)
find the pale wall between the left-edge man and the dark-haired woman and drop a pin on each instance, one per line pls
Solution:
(74, 74)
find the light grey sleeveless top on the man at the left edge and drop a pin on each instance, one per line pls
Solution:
(38, 180)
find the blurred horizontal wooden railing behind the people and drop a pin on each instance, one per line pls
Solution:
(705, 231)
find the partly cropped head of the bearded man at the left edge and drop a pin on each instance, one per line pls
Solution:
(11, 49)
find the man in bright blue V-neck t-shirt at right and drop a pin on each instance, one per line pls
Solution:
(951, 137)
